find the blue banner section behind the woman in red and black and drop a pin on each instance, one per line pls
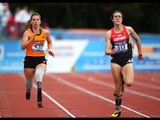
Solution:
(93, 60)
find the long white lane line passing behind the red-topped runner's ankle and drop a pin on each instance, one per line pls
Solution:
(93, 94)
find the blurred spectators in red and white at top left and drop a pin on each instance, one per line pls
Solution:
(12, 24)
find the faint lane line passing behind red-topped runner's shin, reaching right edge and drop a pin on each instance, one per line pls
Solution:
(91, 79)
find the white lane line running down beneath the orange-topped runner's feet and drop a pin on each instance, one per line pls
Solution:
(53, 100)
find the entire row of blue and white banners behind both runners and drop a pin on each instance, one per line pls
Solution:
(76, 55)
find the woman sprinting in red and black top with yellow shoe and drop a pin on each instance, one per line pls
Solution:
(119, 46)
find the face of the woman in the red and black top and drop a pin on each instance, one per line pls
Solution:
(117, 18)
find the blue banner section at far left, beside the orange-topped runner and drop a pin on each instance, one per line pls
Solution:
(11, 57)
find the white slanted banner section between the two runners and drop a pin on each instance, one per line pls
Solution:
(66, 54)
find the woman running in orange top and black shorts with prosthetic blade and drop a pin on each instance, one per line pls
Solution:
(35, 63)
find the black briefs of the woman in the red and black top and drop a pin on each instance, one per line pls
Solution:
(122, 62)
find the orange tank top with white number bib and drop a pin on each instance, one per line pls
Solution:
(36, 48)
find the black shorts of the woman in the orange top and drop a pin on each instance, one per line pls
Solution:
(32, 62)
